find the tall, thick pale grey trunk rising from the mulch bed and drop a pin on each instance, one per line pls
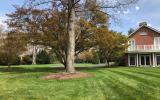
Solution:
(71, 38)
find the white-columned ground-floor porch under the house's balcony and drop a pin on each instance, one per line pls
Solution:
(144, 59)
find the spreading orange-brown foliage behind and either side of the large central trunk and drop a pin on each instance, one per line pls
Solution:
(53, 30)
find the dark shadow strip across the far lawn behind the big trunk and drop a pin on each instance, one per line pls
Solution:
(45, 69)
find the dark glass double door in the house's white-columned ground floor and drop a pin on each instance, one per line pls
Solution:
(145, 60)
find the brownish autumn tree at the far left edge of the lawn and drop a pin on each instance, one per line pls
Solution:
(12, 45)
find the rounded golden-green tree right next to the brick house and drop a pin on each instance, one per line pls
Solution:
(111, 44)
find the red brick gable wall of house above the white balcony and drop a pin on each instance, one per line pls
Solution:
(144, 39)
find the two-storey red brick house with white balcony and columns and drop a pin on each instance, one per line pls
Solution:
(144, 46)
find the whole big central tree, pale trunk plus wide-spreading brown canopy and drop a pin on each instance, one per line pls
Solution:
(67, 26)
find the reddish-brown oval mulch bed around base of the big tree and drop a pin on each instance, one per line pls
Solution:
(61, 76)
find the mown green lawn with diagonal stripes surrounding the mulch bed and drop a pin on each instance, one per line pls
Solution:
(26, 83)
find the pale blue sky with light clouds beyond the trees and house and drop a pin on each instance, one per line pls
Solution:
(144, 10)
